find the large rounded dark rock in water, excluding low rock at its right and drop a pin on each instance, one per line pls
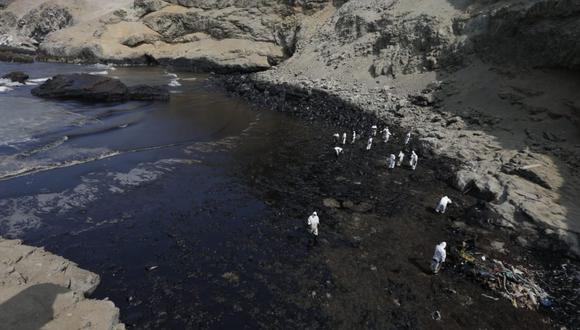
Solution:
(83, 87)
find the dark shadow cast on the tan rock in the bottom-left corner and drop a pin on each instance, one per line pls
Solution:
(31, 308)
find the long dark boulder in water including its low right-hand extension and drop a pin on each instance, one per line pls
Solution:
(81, 86)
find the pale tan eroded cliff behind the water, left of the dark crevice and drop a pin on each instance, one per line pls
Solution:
(222, 36)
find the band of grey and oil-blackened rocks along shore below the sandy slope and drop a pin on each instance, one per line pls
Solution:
(436, 131)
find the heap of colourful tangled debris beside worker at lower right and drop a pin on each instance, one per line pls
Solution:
(515, 284)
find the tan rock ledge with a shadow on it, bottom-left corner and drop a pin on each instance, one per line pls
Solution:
(41, 290)
